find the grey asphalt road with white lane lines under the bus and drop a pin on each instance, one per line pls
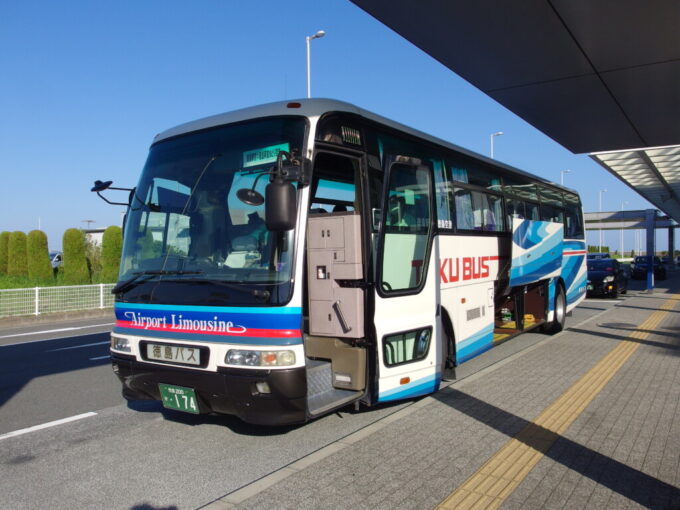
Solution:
(140, 456)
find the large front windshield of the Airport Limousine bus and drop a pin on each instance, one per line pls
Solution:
(185, 222)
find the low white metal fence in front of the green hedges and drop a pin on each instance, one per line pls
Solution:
(40, 300)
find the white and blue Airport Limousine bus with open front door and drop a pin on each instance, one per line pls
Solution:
(286, 260)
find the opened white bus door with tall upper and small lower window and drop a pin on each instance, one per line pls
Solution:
(406, 300)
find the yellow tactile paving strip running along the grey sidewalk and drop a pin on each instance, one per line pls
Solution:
(502, 473)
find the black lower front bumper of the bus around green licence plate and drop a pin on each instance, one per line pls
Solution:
(229, 391)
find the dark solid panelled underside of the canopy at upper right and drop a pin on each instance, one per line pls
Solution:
(593, 75)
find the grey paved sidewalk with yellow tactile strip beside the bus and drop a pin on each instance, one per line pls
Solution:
(619, 449)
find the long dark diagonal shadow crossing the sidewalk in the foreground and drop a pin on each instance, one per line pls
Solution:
(631, 483)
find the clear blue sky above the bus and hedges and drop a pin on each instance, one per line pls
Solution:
(84, 87)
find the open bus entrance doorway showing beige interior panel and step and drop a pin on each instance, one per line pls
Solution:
(336, 294)
